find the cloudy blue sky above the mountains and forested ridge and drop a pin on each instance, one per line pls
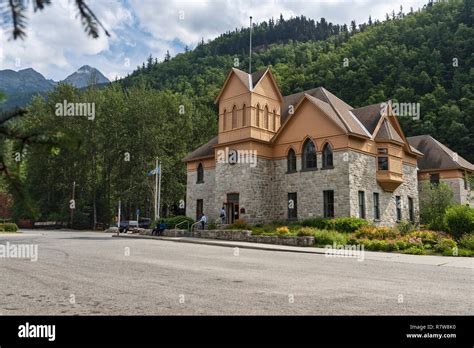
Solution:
(56, 44)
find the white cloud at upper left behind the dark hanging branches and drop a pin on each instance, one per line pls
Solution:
(56, 43)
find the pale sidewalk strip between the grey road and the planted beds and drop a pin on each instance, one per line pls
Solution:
(442, 261)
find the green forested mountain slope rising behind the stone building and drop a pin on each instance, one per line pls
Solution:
(421, 57)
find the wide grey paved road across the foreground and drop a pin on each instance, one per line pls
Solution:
(92, 273)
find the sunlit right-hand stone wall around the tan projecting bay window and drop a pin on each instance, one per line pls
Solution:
(362, 177)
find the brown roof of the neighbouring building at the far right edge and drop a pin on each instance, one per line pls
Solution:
(436, 155)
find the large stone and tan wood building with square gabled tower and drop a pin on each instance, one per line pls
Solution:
(304, 155)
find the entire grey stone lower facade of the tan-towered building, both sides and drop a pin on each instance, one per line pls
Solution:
(263, 189)
